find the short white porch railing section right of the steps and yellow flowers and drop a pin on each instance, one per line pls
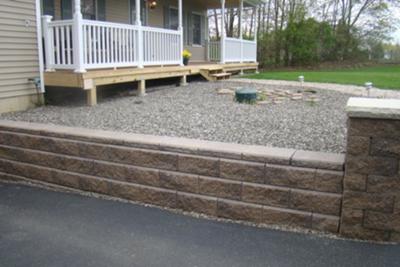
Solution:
(236, 50)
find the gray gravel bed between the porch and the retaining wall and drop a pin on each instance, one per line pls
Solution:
(196, 111)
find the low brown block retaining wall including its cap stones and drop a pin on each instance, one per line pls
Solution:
(251, 183)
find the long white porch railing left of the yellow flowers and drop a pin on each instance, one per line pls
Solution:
(108, 45)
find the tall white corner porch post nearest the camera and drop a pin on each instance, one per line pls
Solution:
(78, 38)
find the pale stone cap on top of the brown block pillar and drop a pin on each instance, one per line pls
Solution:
(374, 108)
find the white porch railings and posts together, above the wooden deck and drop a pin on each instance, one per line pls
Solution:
(81, 44)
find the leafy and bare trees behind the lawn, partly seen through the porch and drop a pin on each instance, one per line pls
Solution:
(308, 32)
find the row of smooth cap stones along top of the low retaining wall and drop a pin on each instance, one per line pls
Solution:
(272, 155)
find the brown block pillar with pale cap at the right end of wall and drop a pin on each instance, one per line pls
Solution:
(371, 197)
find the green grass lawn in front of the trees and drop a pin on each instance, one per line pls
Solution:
(385, 77)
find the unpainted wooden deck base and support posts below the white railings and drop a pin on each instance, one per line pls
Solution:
(90, 80)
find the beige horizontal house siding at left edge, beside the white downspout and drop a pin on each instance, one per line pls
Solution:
(19, 57)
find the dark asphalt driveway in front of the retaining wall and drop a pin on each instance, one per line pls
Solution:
(45, 228)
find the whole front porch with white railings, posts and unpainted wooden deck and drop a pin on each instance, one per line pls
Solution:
(85, 53)
